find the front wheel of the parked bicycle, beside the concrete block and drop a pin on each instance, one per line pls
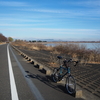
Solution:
(70, 85)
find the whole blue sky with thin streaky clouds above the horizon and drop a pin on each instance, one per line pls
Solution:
(72, 20)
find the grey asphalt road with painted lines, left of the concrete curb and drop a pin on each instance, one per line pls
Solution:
(20, 80)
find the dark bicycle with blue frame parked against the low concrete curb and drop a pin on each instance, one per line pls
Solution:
(64, 69)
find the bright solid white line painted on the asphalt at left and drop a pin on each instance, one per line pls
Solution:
(14, 94)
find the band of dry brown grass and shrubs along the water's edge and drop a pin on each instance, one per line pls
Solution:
(75, 51)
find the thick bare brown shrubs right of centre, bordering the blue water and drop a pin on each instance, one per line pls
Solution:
(78, 51)
